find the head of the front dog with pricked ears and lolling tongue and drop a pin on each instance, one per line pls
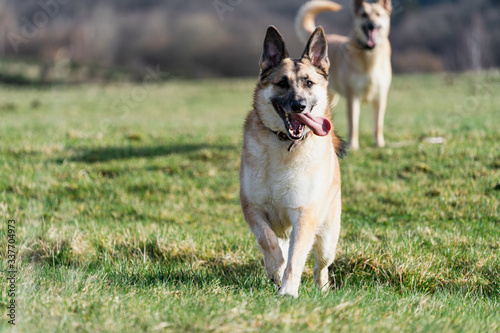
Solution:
(291, 95)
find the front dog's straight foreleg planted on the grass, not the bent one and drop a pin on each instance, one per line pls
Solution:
(302, 238)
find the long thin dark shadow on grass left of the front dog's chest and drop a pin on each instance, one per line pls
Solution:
(103, 154)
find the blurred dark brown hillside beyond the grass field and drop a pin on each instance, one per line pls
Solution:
(193, 38)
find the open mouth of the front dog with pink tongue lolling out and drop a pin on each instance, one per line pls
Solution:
(295, 123)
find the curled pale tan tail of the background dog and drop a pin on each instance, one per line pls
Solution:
(305, 20)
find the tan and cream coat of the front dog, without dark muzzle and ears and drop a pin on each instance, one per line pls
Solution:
(291, 200)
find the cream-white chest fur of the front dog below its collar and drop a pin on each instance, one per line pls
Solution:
(277, 179)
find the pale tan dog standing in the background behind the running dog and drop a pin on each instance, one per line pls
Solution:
(359, 74)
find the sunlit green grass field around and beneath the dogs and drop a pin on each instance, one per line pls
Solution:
(128, 219)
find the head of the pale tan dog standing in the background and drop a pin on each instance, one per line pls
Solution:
(372, 21)
